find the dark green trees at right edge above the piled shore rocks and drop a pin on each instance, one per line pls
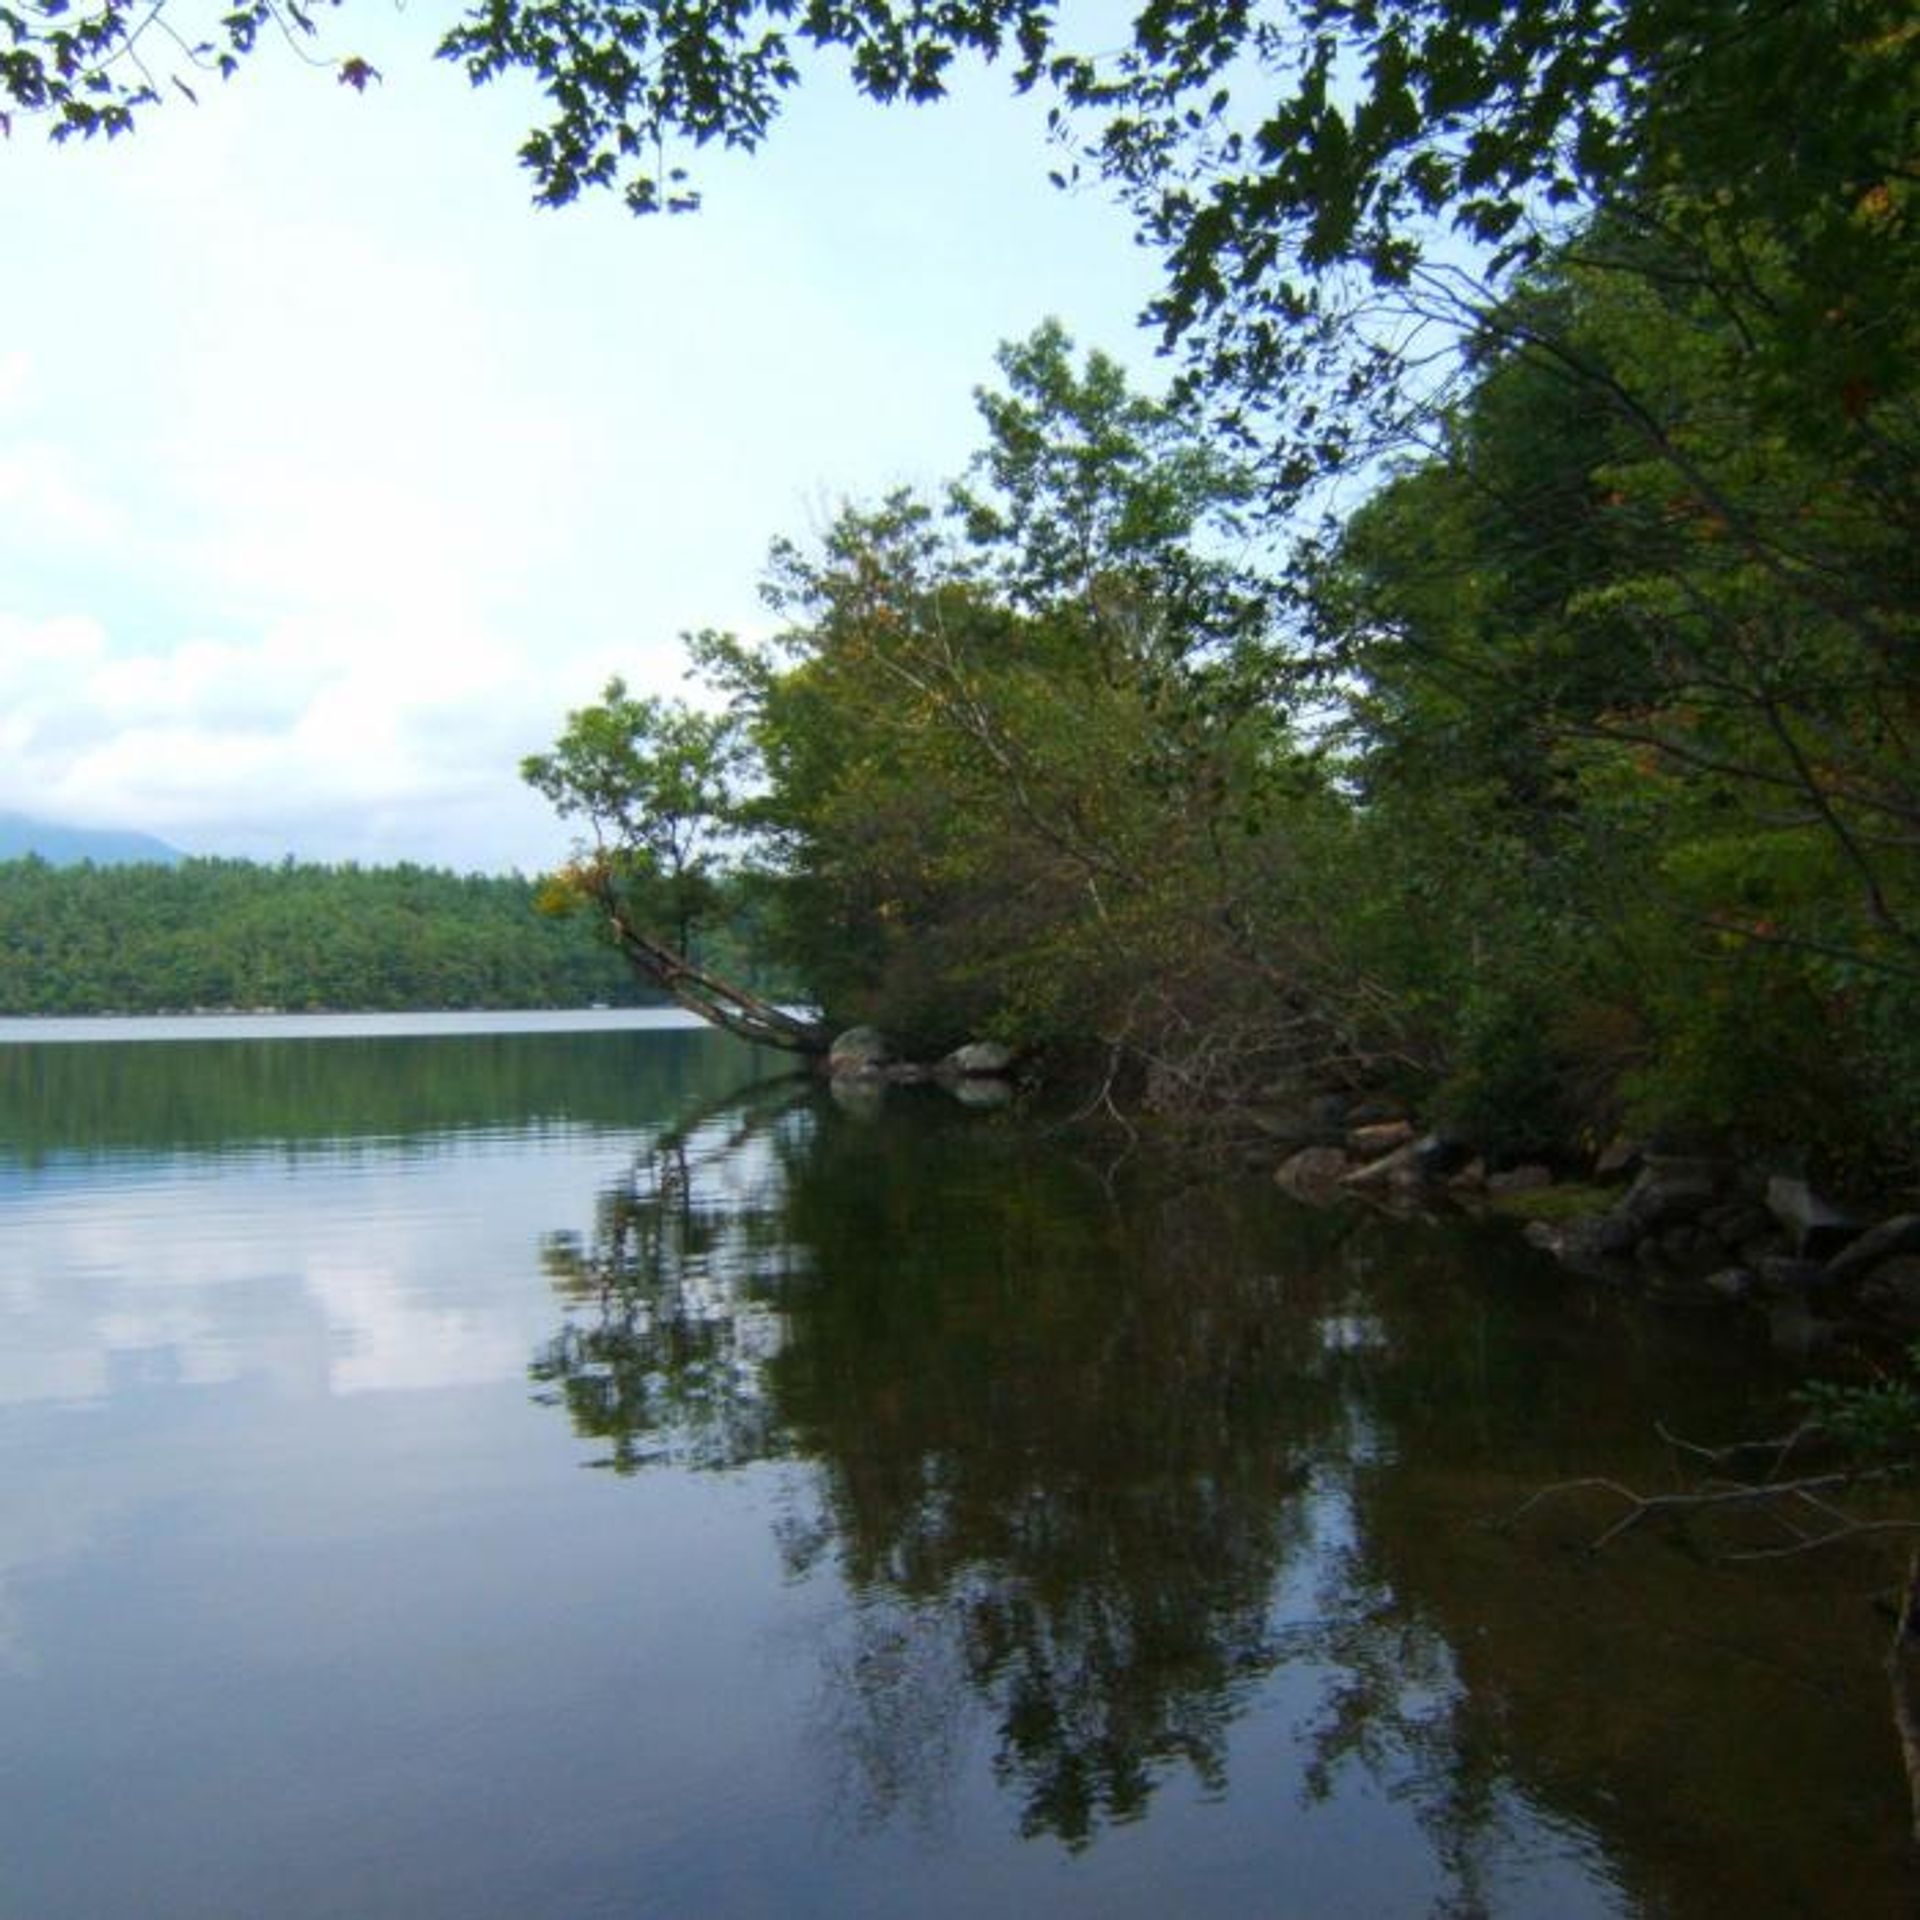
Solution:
(1643, 738)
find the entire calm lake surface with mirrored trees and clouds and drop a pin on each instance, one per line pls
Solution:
(494, 1470)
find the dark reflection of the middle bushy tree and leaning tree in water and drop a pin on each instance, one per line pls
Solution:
(1055, 1460)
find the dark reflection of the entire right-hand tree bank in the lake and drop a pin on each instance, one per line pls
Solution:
(1103, 1476)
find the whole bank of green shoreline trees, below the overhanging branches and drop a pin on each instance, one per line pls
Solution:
(1539, 792)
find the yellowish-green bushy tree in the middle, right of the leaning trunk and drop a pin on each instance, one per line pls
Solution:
(1030, 761)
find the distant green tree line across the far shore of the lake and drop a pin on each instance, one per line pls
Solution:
(235, 934)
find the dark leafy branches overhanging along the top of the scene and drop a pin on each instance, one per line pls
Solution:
(1285, 156)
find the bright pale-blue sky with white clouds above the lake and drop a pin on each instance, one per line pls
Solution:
(333, 475)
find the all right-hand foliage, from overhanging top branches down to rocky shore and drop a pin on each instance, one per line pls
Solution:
(1566, 763)
